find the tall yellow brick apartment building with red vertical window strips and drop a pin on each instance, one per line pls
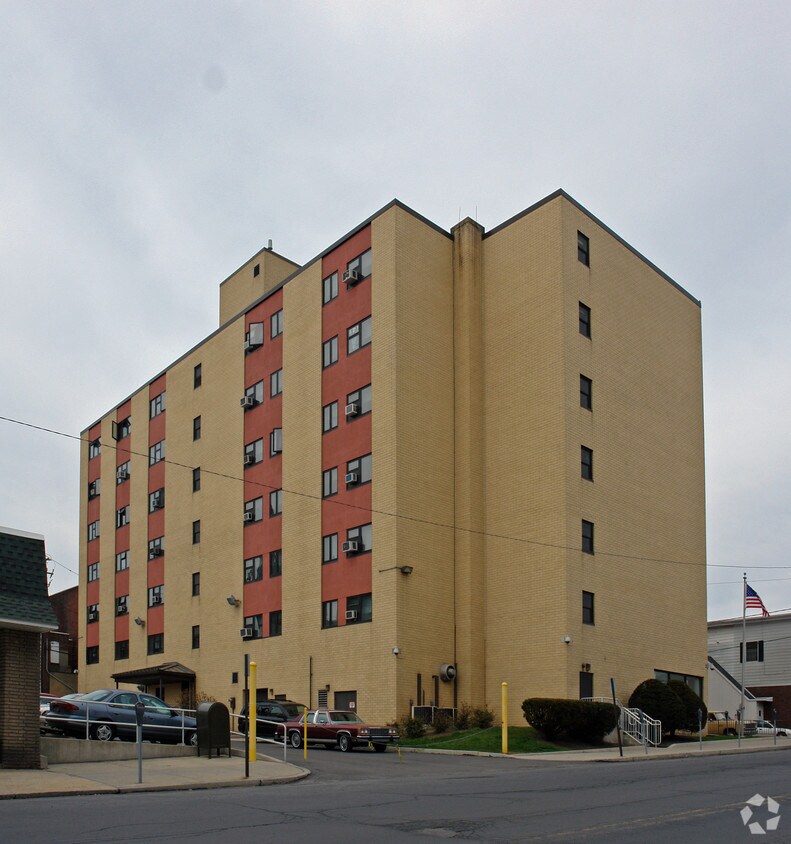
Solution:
(474, 448)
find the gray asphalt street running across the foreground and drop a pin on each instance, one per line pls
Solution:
(364, 796)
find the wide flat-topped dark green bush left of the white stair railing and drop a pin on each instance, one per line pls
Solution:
(582, 720)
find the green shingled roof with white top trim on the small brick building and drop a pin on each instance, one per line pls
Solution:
(23, 581)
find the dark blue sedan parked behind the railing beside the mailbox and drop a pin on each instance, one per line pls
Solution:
(111, 713)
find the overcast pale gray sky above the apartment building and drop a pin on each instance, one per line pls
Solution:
(147, 149)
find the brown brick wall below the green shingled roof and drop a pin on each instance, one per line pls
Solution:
(20, 658)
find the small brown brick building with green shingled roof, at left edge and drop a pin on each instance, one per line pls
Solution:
(25, 613)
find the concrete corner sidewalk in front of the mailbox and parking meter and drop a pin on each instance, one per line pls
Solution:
(167, 774)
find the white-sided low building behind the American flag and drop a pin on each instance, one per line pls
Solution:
(767, 670)
